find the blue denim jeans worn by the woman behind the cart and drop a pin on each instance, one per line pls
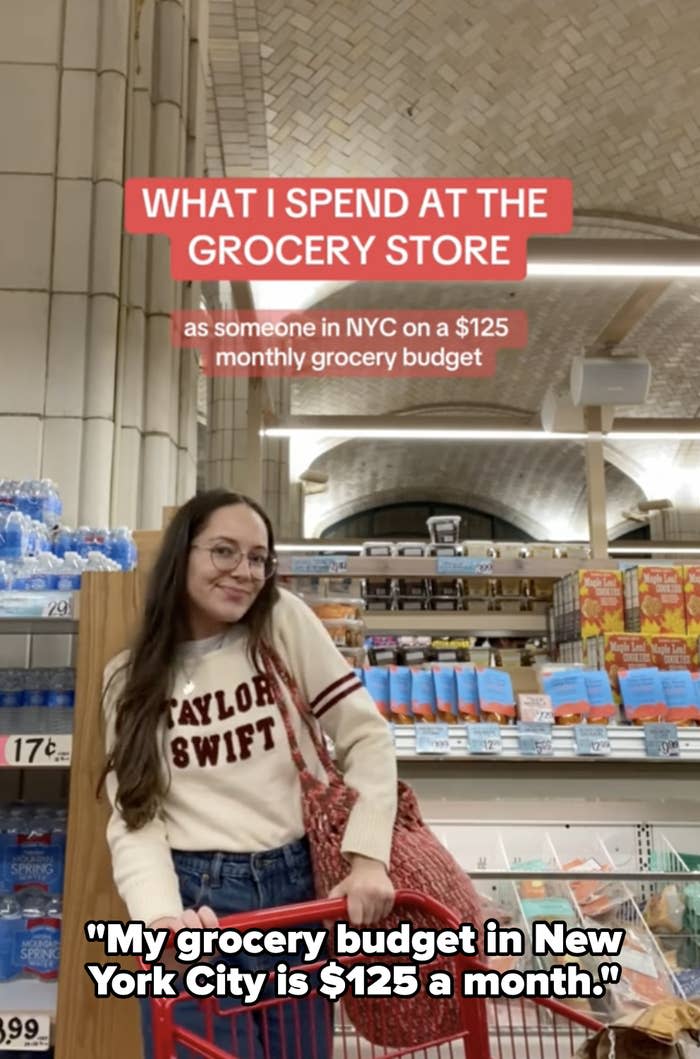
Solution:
(229, 884)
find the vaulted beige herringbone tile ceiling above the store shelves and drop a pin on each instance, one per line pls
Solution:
(606, 93)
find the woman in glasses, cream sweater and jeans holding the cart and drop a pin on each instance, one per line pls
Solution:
(206, 798)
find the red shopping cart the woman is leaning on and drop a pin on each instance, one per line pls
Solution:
(308, 1029)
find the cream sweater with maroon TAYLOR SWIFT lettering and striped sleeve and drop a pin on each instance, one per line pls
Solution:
(234, 786)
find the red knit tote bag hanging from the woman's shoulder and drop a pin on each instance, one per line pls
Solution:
(419, 863)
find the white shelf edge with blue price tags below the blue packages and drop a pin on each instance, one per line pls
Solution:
(627, 744)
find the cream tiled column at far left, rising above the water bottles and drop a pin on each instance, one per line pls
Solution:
(92, 394)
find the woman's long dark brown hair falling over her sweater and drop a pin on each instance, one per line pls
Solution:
(135, 756)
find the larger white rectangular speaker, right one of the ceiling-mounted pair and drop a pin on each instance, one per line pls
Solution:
(611, 381)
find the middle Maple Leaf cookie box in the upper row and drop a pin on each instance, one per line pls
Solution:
(656, 601)
